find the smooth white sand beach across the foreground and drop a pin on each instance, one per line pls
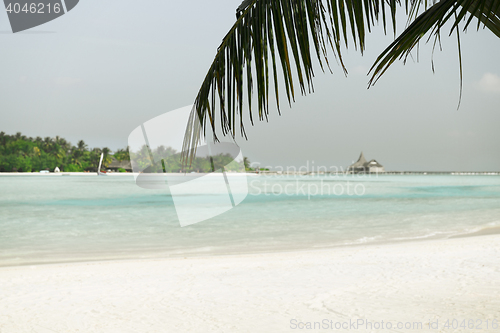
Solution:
(435, 280)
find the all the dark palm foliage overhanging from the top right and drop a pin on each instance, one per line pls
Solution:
(272, 36)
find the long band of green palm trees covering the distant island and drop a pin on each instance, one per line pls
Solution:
(19, 153)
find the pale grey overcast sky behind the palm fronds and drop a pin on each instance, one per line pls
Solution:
(104, 68)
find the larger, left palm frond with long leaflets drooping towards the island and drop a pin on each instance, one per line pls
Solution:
(274, 38)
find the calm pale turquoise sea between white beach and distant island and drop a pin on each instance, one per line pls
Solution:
(47, 219)
